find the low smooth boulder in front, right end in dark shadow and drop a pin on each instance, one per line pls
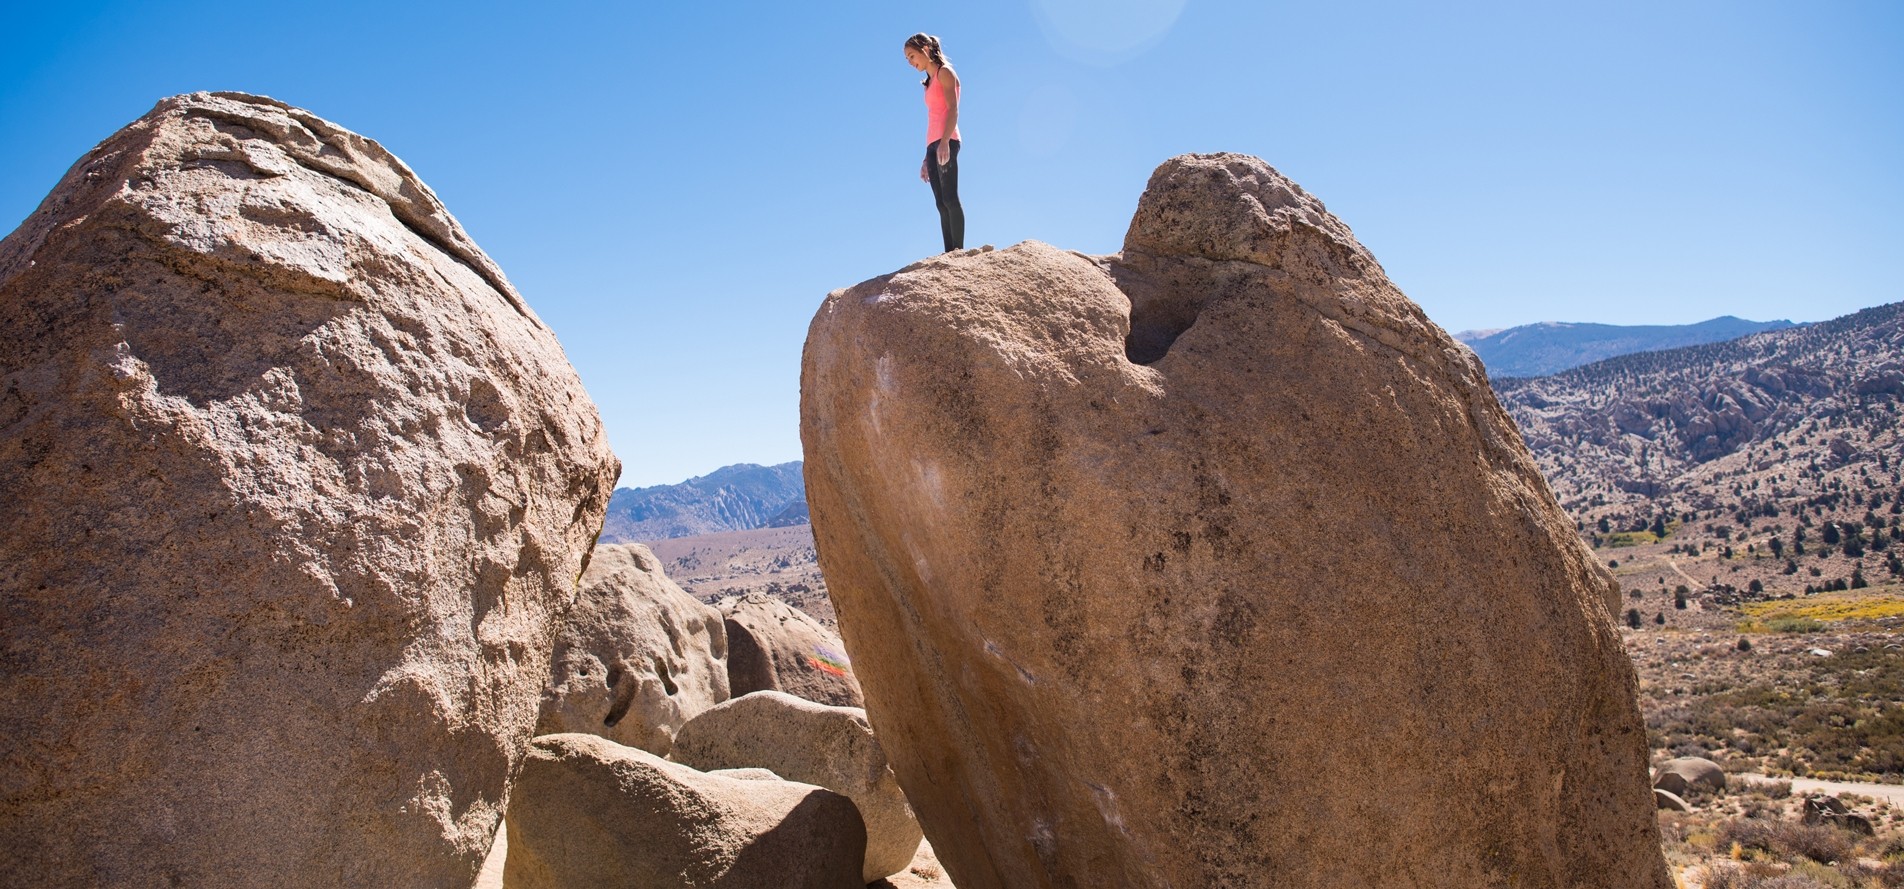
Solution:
(595, 814)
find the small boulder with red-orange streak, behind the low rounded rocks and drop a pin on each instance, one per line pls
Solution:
(774, 646)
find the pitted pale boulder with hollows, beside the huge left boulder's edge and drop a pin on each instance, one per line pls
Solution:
(637, 658)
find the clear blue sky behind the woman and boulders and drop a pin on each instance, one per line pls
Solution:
(675, 188)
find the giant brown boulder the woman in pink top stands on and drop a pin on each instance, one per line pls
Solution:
(1214, 564)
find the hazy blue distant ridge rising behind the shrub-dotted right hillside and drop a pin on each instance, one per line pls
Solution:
(1553, 347)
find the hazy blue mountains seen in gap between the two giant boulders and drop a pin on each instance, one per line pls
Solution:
(738, 498)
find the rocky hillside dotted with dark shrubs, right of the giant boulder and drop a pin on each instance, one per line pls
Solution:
(1743, 429)
